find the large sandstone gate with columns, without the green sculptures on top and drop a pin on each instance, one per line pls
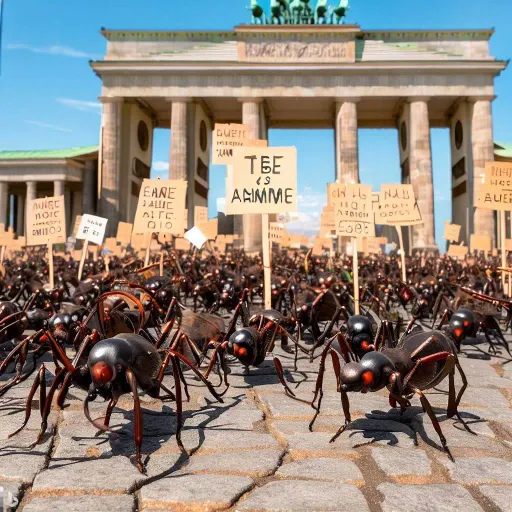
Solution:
(297, 76)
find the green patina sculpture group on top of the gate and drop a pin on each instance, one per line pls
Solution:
(299, 12)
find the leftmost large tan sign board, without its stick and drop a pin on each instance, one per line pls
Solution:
(46, 221)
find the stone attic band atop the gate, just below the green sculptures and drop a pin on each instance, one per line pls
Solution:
(345, 43)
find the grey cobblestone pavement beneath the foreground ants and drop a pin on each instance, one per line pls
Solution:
(254, 451)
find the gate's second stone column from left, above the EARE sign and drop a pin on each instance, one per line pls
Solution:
(178, 168)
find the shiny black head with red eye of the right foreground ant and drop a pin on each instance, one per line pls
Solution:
(370, 374)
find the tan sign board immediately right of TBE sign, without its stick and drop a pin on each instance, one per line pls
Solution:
(353, 210)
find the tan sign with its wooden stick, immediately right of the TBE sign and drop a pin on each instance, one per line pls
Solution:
(355, 218)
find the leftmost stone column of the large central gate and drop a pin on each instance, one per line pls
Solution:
(111, 162)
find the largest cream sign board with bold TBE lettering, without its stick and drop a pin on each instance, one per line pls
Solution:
(262, 180)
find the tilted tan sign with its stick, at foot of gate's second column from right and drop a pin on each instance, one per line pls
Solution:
(396, 206)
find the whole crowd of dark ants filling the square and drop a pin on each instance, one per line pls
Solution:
(122, 330)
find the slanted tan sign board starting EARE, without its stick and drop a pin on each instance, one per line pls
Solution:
(160, 208)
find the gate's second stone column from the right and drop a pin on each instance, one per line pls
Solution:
(420, 158)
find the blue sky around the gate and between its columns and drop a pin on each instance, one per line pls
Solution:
(48, 93)
